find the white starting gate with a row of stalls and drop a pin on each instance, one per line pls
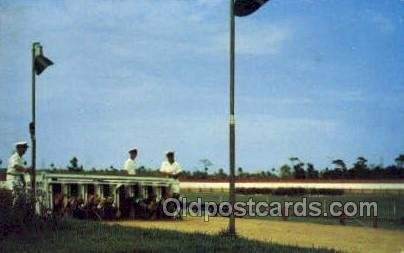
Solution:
(84, 185)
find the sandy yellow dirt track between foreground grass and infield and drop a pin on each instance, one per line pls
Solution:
(305, 235)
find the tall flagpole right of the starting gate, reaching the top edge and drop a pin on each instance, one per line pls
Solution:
(232, 123)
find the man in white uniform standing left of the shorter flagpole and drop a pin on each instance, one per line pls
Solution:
(16, 170)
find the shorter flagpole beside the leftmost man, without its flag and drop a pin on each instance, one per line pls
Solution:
(32, 125)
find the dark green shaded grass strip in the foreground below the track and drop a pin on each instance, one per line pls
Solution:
(86, 236)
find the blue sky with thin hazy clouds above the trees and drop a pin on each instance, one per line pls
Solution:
(315, 79)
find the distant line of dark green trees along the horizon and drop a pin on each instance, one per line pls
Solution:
(297, 169)
